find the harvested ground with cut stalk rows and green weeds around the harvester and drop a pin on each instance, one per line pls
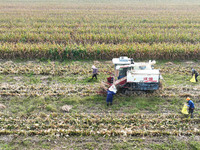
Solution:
(35, 92)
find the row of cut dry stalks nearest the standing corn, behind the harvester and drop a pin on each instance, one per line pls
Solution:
(80, 68)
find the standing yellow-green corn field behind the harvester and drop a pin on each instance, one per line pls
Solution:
(78, 31)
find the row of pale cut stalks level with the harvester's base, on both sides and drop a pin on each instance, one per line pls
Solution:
(85, 90)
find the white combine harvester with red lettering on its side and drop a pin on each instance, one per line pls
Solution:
(132, 76)
